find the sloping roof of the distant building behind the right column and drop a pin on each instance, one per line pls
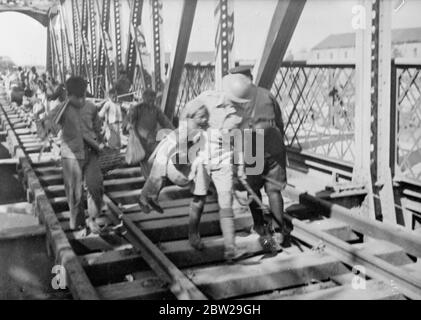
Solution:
(347, 40)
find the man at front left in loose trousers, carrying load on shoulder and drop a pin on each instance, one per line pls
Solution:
(81, 141)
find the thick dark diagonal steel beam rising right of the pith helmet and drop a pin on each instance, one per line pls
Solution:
(284, 21)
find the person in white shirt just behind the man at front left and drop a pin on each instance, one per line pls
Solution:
(111, 112)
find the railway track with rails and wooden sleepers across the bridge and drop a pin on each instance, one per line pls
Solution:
(149, 257)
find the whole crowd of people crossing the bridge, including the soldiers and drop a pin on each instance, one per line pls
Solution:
(226, 140)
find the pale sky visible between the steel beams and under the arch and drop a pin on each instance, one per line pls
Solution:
(24, 40)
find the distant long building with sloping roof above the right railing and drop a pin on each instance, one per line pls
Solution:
(340, 48)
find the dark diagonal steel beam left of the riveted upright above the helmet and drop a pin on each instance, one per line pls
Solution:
(177, 66)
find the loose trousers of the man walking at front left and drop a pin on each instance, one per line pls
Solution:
(75, 172)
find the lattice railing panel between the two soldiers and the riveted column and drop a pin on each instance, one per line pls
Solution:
(317, 104)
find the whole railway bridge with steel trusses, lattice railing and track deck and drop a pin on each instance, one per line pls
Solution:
(354, 159)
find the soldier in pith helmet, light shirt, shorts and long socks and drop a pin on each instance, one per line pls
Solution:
(226, 114)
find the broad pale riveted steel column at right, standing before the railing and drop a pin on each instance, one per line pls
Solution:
(372, 128)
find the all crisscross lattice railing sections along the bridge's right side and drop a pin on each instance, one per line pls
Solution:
(318, 107)
